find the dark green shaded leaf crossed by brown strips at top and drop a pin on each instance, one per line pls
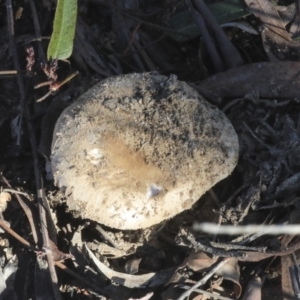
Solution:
(224, 11)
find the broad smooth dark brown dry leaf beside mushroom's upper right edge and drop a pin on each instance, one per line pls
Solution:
(269, 79)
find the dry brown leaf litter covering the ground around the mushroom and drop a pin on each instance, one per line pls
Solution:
(261, 98)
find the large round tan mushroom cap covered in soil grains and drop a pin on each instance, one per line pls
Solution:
(138, 149)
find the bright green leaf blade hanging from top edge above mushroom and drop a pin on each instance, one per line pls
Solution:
(62, 38)
